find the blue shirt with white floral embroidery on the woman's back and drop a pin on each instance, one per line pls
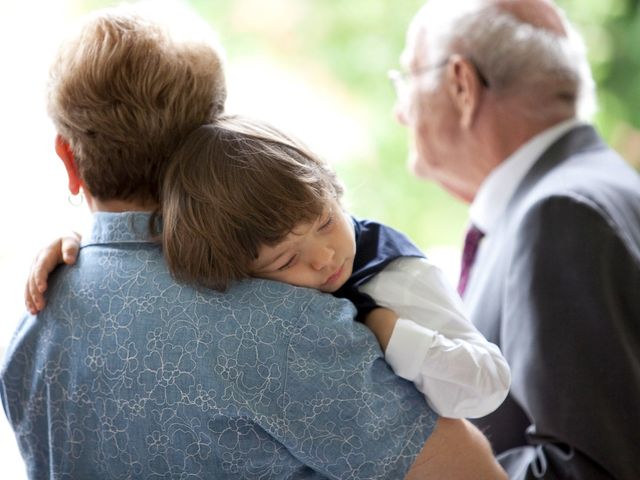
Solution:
(128, 375)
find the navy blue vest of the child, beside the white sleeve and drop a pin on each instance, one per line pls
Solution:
(377, 245)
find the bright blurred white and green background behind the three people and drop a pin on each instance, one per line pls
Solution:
(317, 68)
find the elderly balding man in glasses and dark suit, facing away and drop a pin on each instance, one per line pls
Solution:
(493, 94)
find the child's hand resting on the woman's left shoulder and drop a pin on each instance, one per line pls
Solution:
(63, 250)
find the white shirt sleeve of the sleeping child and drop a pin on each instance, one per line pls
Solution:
(434, 345)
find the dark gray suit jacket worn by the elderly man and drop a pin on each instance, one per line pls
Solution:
(557, 286)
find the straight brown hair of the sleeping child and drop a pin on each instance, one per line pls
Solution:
(232, 186)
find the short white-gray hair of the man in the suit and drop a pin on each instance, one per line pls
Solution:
(516, 58)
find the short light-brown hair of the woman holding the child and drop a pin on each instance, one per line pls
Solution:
(123, 92)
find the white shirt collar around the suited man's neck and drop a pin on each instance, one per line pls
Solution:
(499, 186)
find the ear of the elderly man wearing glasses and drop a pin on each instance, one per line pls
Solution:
(465, 88)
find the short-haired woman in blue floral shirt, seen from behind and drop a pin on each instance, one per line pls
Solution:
(129, 374)
